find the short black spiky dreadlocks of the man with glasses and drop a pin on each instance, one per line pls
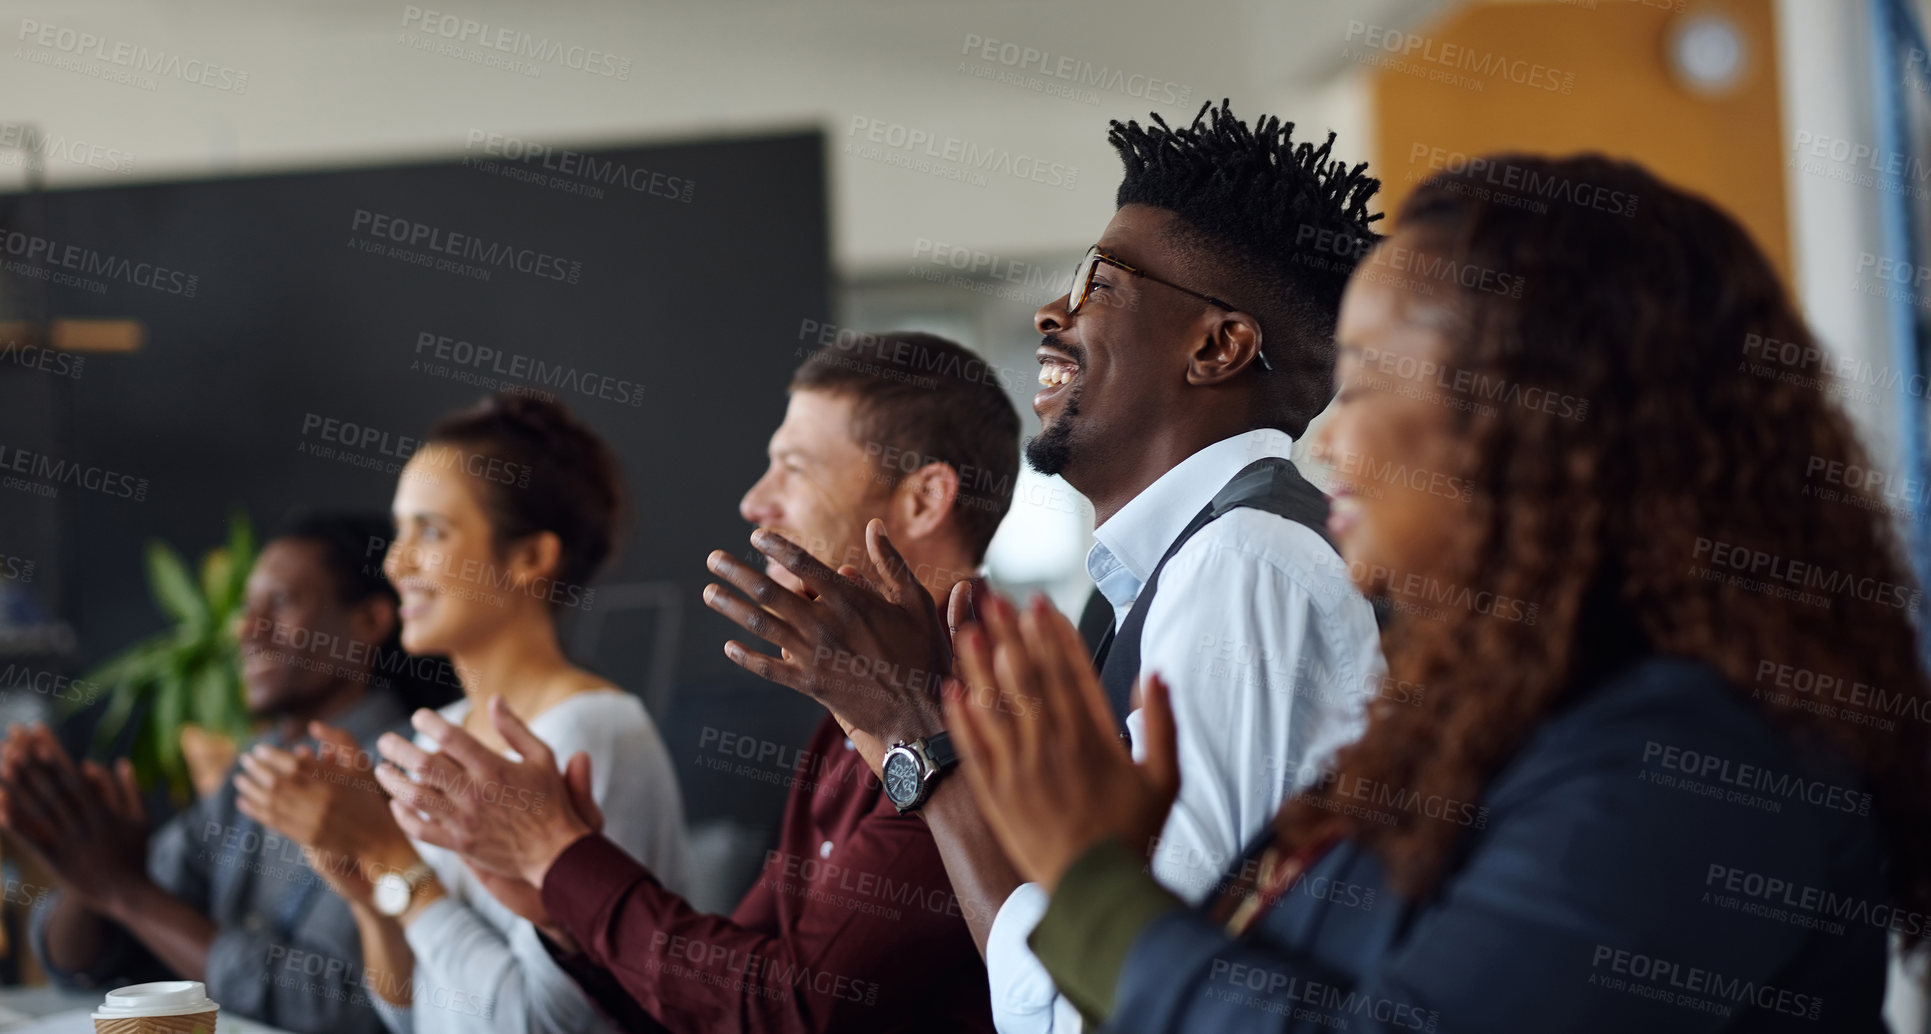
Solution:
(1283, 219)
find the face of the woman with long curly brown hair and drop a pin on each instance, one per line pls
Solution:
(1397, 492)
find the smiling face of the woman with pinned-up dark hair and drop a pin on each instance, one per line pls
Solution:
(455, 587)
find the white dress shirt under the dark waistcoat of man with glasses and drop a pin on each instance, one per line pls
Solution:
(1270, 656)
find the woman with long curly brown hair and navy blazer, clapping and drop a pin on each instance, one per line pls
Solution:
(1660, 755)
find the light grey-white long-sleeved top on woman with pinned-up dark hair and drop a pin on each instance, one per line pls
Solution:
(482, 967)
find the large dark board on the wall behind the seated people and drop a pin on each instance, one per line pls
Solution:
(304, 330)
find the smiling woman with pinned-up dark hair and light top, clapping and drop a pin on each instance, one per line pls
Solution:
(503, 517)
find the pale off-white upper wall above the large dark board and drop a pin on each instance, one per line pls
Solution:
(337, 84)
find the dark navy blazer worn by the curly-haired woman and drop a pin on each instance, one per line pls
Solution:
(1658, 857)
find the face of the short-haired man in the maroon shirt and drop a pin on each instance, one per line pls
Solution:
(820, 490)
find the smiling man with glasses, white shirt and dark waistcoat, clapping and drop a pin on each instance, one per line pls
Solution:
(1194, 345)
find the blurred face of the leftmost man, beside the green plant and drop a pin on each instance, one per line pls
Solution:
(298, 637)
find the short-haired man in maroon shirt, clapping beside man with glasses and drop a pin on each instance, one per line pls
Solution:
(853, 923)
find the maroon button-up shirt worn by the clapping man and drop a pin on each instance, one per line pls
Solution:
(858, 936)
